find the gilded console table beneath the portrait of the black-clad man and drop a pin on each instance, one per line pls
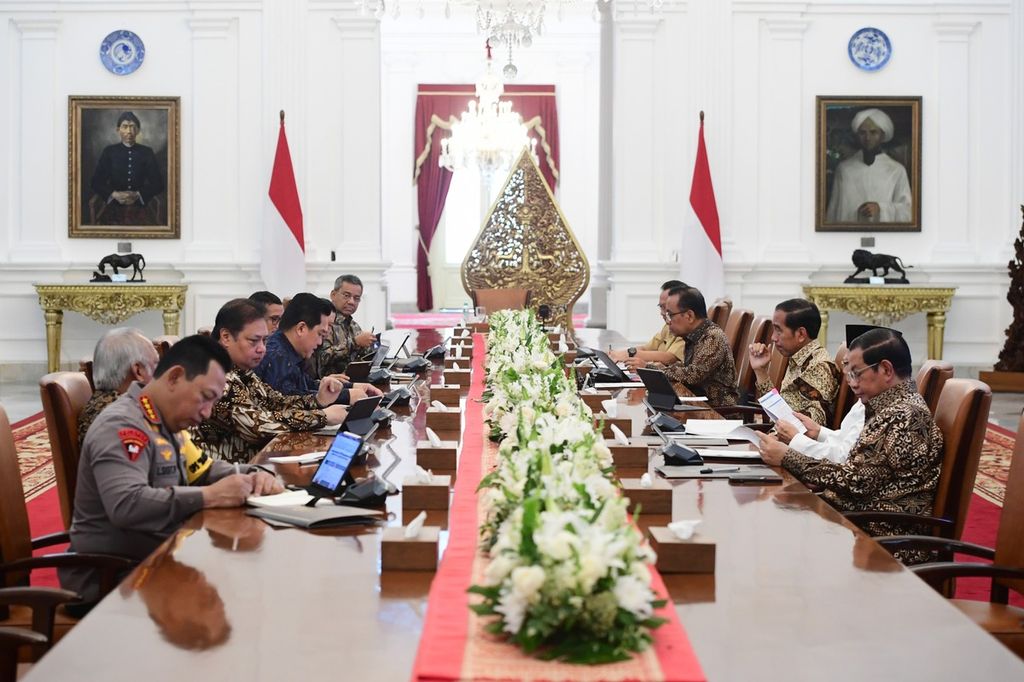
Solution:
(107, 304)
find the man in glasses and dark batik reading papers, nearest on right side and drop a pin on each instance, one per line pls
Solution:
(894, 465)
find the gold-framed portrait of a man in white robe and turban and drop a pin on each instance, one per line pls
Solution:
(868, 164)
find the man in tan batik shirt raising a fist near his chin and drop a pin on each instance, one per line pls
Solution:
(812, 381)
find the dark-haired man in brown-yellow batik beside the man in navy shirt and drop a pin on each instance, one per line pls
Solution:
(251, 413)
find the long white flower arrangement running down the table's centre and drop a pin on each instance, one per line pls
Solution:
(569, 577)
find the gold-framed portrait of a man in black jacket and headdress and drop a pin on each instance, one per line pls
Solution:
(123, 167)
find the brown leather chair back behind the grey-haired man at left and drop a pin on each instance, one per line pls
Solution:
(64, 395)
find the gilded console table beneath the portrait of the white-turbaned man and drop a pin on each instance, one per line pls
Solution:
(884, 305)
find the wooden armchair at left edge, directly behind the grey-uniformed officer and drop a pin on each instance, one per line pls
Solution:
(26, 608)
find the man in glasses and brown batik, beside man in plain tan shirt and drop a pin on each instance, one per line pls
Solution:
(708, 368)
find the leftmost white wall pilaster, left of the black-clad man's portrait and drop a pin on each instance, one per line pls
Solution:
(40, 184)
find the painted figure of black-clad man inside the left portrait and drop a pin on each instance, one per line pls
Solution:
(127, 180)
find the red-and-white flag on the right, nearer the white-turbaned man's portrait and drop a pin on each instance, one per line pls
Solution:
(702, 253)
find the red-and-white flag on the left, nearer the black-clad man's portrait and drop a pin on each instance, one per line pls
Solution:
(284, 266)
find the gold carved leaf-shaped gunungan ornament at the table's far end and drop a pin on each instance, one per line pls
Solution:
(526, 243)
